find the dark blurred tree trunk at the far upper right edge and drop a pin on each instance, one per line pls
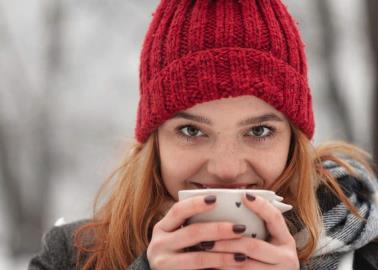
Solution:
(372, 8)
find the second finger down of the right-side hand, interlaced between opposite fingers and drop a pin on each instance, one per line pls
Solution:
(255, 249)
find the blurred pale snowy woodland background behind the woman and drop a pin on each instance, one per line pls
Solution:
(69, 92)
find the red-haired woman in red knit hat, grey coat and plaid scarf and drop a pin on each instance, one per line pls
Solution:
(225, 102)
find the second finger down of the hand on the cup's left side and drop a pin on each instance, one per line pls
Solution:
(207, 231)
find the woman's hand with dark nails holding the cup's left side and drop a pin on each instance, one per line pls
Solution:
(169, 239)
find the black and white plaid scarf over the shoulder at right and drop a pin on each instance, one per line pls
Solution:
(342, 231)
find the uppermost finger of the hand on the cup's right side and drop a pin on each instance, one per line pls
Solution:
(273, 218)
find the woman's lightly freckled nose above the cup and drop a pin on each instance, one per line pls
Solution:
(226, 161)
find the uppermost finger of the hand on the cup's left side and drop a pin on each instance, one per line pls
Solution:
(182, 210)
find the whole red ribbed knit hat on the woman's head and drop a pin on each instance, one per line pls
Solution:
(201, 50)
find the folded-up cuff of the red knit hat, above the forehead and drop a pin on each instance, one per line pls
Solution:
(220, 73)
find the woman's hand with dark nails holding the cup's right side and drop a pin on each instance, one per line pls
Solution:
(277, 253)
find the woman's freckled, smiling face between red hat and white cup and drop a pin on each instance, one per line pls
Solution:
(227, 143)
